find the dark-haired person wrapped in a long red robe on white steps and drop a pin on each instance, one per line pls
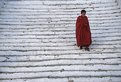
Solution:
(83, 33)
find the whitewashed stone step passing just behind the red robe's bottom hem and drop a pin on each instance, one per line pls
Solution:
(53, 44)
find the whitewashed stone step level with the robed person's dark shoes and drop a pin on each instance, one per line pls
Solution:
(47, 48)
